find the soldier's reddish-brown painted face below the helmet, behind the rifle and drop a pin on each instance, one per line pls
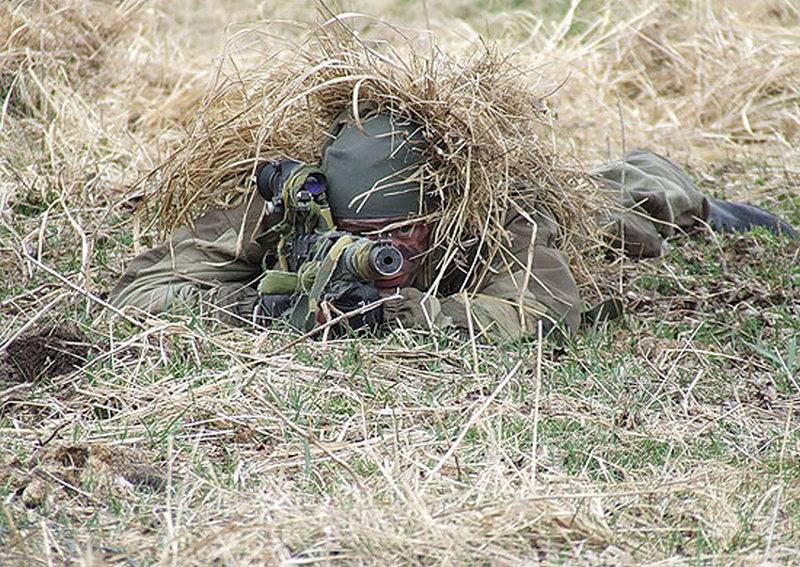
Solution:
(411, 239)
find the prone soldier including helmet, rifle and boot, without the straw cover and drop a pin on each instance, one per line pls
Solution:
(364, 189)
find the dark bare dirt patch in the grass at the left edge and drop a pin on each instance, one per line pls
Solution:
(44, 353)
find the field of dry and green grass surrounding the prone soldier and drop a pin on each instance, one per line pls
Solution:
(670, 437)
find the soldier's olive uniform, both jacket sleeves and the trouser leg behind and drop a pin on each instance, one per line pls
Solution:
(201, 268)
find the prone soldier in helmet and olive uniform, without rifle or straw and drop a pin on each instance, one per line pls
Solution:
(369, 169)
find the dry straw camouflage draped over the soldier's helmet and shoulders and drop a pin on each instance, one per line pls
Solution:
(484, 115)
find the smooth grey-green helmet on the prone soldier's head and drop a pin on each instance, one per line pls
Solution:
(373, 172)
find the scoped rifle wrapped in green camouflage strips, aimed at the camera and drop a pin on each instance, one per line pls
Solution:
(316, 262)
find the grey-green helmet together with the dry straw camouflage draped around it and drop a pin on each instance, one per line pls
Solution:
(480, 111)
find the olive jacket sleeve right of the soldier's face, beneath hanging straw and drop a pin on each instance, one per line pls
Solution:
(530, 281)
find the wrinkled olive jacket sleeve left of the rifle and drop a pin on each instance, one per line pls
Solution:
(200, 268)
